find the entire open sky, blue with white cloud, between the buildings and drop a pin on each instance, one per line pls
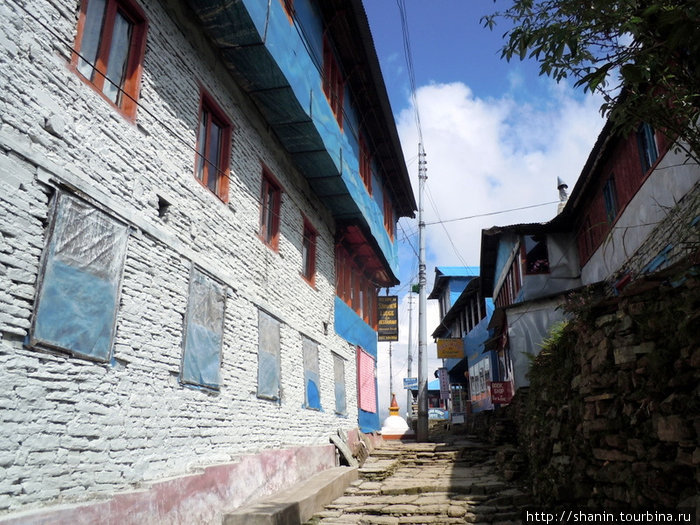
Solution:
(496, 135)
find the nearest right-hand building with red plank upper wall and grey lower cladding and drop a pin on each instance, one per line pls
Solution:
(635, 209)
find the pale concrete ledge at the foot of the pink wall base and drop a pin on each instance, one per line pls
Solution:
(298, 503)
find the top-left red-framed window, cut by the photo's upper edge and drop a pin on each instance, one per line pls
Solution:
(109, 50)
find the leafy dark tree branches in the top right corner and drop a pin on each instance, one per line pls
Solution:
(643, 56)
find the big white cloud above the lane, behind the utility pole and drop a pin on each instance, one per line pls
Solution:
(483, 155)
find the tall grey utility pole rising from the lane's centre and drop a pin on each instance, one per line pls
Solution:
(422, 425)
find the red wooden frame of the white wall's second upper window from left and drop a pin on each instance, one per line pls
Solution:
(222, 169)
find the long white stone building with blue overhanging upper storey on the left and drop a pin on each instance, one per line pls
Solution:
(198, 205)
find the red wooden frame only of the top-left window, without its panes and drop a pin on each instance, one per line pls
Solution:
(137, 47)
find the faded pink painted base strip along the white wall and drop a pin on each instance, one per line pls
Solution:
(196, 498)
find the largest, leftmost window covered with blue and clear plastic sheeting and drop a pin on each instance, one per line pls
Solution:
(79, 290)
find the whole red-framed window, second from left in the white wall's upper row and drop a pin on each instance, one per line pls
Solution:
(213, 147)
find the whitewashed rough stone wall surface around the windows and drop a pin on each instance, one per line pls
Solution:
(71, 429)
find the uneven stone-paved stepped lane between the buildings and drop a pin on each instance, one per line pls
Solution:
(436, 483)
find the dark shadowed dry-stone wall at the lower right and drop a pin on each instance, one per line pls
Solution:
(612, 416)
